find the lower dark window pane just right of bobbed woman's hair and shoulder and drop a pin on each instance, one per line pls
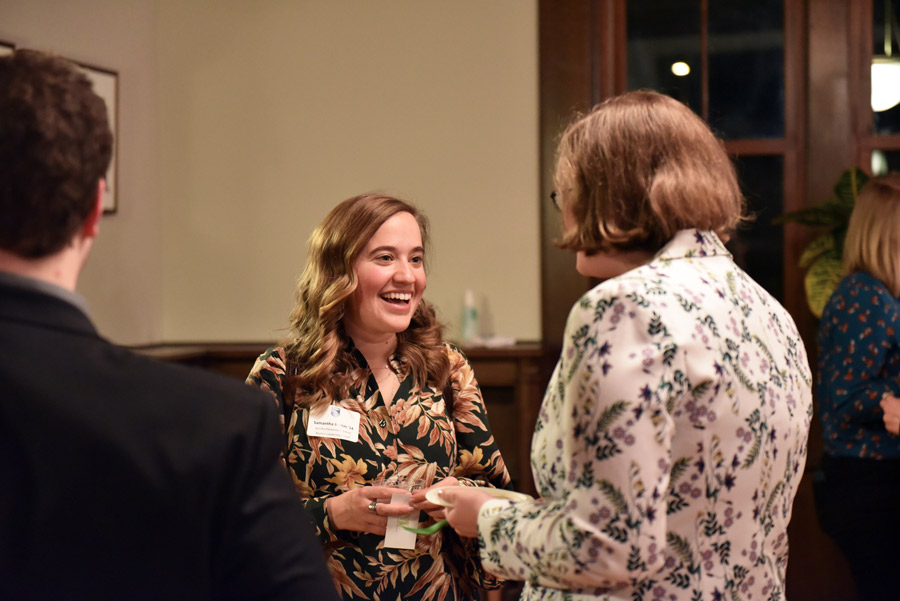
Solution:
(758, 246)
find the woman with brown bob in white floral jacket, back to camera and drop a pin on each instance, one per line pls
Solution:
(672, 437)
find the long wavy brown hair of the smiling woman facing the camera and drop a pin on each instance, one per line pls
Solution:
(319, 362)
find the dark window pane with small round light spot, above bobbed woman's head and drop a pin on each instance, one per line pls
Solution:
(661, 34)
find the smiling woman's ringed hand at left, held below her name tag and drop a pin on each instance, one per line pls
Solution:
(353, 510)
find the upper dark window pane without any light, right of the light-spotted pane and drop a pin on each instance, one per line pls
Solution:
(746, 68)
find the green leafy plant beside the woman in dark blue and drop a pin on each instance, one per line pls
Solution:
(822, 257)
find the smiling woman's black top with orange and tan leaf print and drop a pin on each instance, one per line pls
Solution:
(412, 438)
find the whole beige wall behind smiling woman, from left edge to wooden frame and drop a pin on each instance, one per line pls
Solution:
(243, 123)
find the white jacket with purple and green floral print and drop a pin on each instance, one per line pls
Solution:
(670, 442)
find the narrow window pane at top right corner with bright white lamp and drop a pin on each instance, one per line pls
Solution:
(886, 67)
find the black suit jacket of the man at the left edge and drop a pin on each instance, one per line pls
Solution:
(126, 478)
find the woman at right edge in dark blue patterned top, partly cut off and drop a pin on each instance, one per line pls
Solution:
(858, 385)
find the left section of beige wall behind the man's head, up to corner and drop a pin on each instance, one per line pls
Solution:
(123, 278)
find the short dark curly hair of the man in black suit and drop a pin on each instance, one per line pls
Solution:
(55, 146)
